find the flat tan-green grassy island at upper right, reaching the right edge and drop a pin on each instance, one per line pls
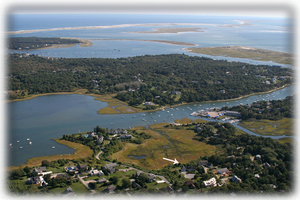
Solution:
(246, 52)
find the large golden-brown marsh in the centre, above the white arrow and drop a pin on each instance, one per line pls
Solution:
(165, 142)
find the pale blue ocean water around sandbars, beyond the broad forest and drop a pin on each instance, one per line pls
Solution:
(264, 32)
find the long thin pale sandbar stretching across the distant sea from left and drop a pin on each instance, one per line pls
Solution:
(99, 27)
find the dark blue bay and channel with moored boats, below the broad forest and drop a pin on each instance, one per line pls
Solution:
(40, 119)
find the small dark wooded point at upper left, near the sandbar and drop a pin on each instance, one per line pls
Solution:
(29, 43)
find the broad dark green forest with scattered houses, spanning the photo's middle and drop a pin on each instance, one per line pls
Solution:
(161, 79)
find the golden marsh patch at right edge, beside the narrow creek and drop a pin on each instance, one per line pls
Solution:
(270, 127)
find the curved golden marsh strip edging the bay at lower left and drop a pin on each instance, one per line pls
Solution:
(81, 151)
